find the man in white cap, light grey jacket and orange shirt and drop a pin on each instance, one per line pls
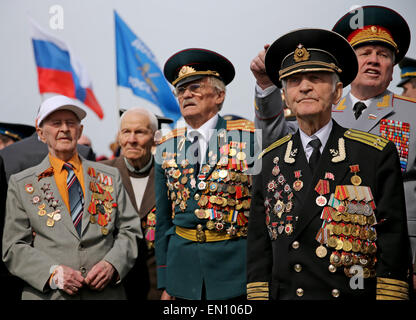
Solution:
(70, 230)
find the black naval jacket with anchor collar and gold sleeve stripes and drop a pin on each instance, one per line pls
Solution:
(309, 234)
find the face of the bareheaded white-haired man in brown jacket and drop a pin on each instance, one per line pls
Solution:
(135, 136)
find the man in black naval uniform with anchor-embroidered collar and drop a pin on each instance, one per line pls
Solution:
(328, 216)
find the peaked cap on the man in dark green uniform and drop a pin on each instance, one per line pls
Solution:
(194, 63)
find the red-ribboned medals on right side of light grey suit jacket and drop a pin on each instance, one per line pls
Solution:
(103, 205)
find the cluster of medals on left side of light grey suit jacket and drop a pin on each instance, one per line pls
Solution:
(47, 195)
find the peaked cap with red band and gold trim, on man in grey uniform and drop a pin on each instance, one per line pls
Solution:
(381, 25)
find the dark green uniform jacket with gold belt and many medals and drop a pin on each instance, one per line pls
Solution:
(201, 221)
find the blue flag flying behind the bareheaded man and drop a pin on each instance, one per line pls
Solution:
(138, 70)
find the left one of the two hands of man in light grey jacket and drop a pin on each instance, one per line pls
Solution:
(67, 279)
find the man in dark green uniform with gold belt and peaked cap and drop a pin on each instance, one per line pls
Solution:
(202, 185)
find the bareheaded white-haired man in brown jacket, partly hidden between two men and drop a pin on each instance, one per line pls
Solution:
(136, 166)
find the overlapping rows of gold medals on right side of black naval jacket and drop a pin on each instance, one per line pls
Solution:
(351, 236)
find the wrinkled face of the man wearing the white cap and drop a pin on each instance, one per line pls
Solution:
(61, 131)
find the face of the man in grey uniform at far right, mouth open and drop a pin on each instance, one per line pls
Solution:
(375, 67)
